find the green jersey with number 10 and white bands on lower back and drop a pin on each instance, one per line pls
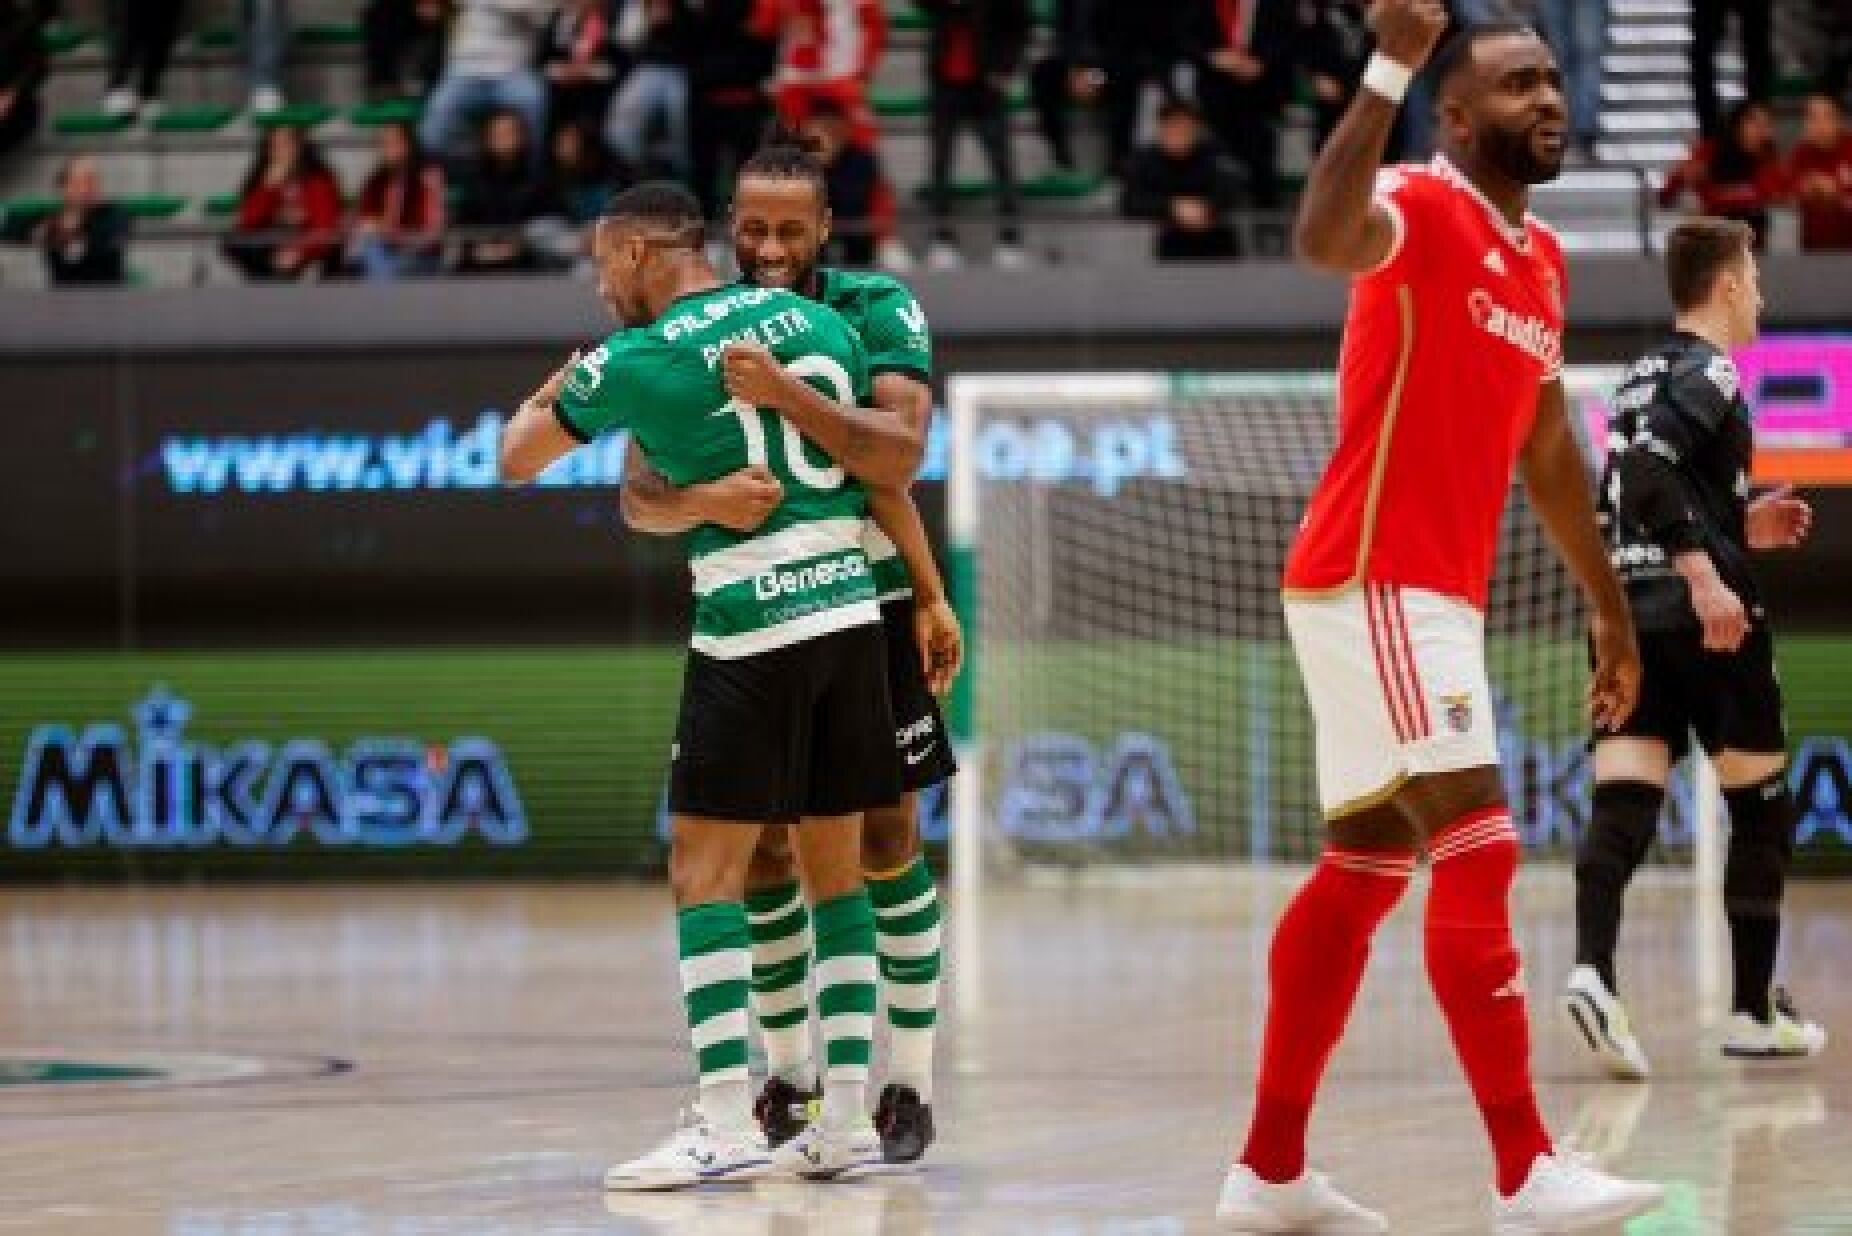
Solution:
(803, 574)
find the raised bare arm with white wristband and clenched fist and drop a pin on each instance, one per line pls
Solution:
(1340, 227)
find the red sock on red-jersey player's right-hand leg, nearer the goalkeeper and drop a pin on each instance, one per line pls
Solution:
(1481, 983)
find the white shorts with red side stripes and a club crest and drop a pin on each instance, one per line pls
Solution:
(1397, 688)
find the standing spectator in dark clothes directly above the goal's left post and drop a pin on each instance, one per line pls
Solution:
(971, 62)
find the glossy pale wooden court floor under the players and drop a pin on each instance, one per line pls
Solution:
(464, 1061)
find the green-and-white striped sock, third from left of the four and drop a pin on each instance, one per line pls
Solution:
(845, 1003)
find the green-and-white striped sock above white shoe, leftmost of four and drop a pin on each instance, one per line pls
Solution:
(716, 972)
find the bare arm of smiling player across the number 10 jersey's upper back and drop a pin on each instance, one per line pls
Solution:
(879, 446)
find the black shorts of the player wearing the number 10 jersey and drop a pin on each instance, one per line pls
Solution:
(797, 731)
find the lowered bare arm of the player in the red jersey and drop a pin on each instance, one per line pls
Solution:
(1558, 483)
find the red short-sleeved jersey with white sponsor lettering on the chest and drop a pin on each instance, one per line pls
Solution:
(1445, 349)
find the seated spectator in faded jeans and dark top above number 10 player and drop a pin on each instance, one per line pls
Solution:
(655, 95)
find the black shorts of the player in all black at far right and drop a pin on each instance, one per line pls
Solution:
(1731, 700)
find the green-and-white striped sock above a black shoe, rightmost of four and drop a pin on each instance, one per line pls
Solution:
(907, 937)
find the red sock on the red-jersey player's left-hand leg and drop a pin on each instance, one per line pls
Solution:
(1314, 972)
